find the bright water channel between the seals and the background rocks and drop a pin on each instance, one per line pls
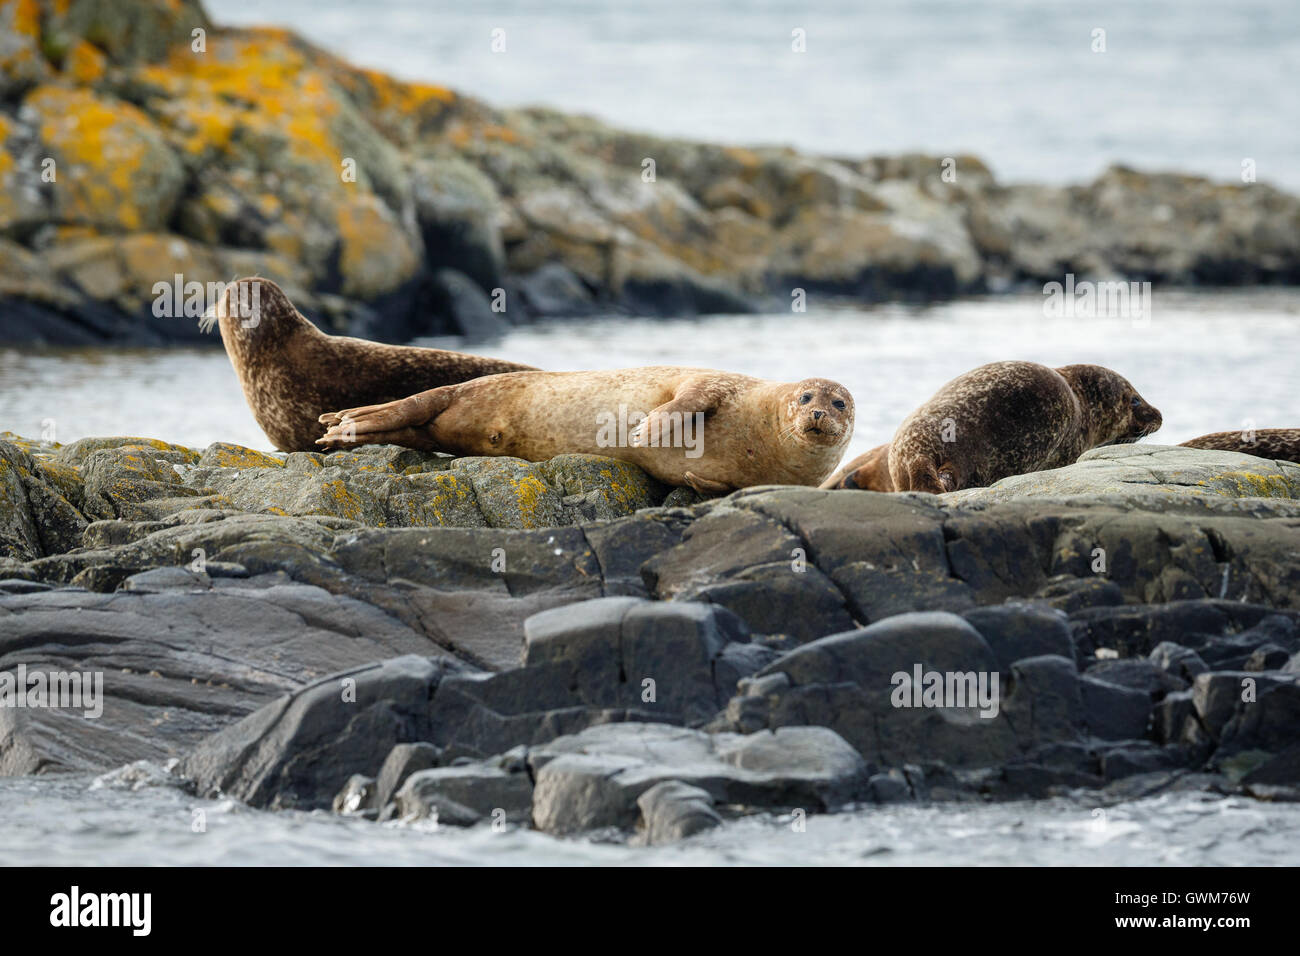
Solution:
(1208, 361)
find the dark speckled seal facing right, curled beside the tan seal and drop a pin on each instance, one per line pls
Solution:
(1011, 418)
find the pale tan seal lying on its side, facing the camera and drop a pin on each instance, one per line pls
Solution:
(712, 431)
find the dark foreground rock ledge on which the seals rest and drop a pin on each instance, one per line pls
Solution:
(619, 664)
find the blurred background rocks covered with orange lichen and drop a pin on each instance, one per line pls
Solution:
(141, 142)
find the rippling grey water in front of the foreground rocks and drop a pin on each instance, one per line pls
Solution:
(73, 821)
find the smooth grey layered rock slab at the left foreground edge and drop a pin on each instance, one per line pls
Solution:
(177, 664)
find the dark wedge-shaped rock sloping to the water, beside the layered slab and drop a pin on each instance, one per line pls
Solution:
(302, 749)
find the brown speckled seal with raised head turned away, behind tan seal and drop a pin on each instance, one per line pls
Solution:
(292, 373)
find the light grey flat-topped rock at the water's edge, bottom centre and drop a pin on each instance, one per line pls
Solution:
(596, 778)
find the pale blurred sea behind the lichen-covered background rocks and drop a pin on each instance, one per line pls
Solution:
(1186, 85)
